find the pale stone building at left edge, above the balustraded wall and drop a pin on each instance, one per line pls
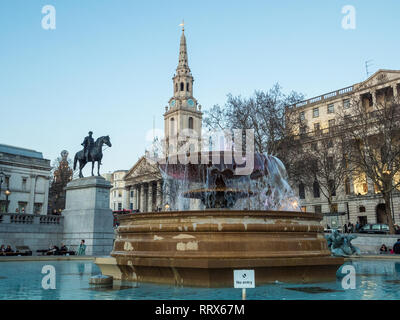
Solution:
(26, 176)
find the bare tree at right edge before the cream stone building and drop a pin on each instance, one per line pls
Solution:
(372, 124)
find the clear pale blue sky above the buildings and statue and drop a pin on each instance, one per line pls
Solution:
(108, 65)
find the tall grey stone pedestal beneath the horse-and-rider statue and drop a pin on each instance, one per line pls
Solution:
(88, 216)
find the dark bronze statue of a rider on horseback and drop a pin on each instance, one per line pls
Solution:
(92, 152)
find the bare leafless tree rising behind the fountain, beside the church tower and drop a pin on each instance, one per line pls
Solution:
(267, 113)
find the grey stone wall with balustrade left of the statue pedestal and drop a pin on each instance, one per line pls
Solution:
(35, 231)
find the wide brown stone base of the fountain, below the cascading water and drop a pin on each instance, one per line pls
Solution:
(202, 248)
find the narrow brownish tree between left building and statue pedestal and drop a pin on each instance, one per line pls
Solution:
(62, 173)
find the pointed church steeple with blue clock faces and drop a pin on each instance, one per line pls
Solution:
(183, 111)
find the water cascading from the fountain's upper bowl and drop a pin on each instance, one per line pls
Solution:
(267, 188)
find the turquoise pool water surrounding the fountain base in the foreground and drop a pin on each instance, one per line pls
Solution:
(23, 280)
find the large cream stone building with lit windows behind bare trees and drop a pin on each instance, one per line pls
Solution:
(357, 198)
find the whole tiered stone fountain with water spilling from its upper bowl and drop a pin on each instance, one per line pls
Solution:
(249, 221)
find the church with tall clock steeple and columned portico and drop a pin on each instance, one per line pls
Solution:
(143, 182)
